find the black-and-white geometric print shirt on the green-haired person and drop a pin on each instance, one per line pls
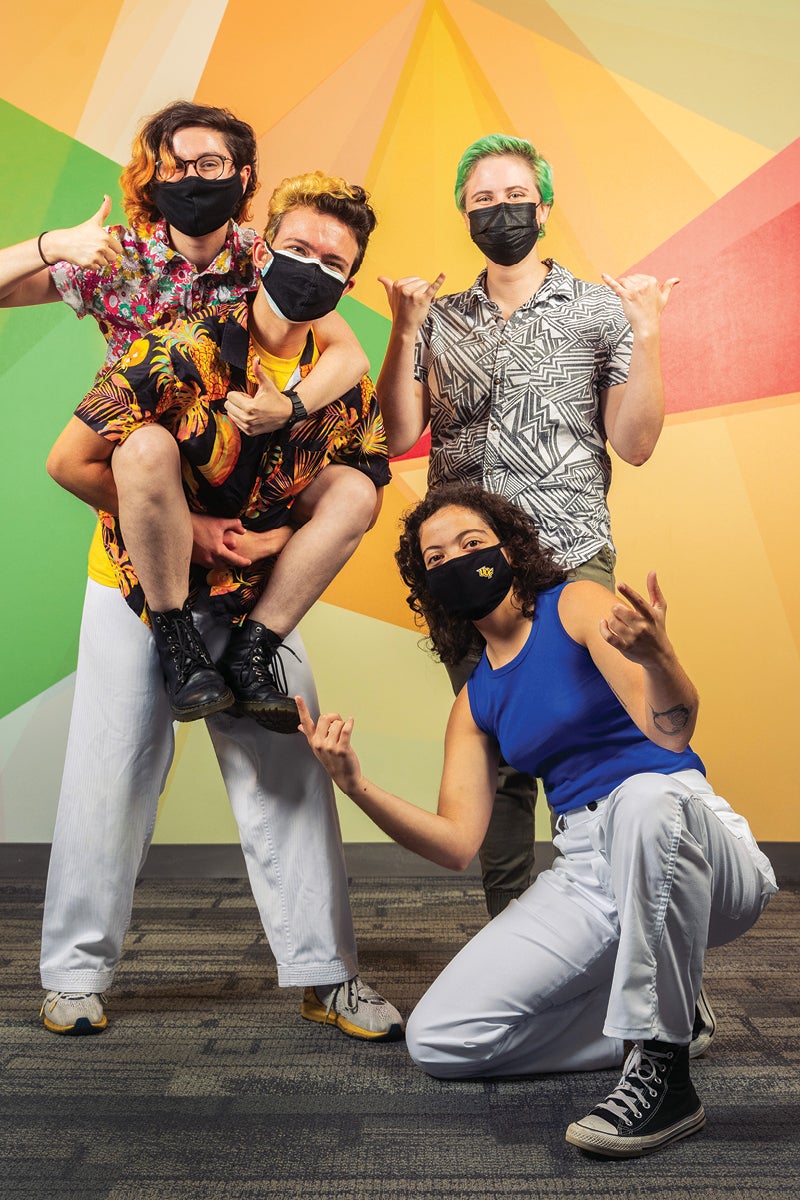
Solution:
(515, 405)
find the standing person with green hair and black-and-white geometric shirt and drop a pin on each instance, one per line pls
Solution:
(526, 380)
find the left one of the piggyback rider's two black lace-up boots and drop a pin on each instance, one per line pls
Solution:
(195, 687)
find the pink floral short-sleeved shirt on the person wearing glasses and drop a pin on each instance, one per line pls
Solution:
(152, 285)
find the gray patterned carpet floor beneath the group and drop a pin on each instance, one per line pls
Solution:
(209, 1085)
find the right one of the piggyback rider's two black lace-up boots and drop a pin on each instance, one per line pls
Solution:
(254, 669)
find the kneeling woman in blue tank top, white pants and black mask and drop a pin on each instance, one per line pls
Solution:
(653, 867)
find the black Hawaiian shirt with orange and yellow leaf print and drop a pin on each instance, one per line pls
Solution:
(181, 377)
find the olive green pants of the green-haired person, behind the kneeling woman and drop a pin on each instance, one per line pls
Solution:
(508, 851)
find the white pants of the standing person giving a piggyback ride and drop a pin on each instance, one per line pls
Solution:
(119, 753)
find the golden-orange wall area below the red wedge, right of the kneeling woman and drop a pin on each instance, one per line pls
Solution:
(699, 514)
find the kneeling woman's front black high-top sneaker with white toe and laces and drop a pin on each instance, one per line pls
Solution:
(653, 1106)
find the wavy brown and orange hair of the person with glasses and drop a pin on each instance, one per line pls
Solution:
(154, 141)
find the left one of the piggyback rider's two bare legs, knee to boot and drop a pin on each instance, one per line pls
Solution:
(154, 518)
